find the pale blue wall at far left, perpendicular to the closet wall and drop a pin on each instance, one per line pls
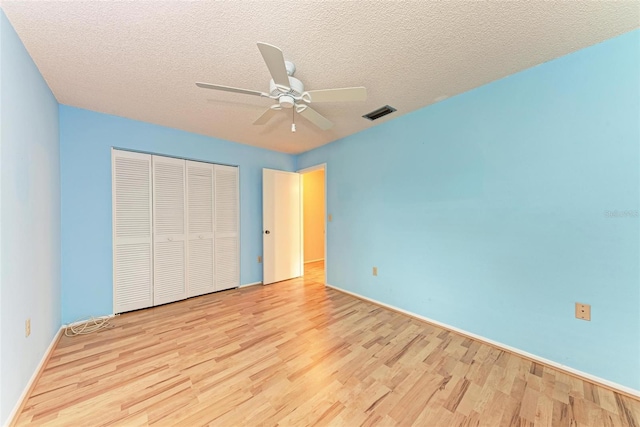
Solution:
(30, 211)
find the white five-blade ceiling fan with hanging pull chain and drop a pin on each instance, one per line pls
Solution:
(289, 93)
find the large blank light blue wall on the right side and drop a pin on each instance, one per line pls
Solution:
(487, 211)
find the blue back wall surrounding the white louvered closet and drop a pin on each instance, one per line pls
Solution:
(86, 139)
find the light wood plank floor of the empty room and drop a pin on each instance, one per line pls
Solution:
(297, 353)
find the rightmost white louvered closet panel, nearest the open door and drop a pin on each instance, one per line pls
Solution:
(227, 254)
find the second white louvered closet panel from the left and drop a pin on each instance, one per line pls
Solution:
(169, 230)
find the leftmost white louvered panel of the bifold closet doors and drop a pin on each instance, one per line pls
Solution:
(132, 244)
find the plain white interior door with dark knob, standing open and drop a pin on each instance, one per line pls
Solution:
(281, 218)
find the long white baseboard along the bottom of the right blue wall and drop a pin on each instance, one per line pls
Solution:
(590, 377)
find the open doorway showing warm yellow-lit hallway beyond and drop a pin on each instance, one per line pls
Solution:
(314, 223)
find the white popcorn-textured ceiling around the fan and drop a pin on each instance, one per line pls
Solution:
(140, 59)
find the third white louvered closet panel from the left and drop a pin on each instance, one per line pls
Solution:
(200, 209)
